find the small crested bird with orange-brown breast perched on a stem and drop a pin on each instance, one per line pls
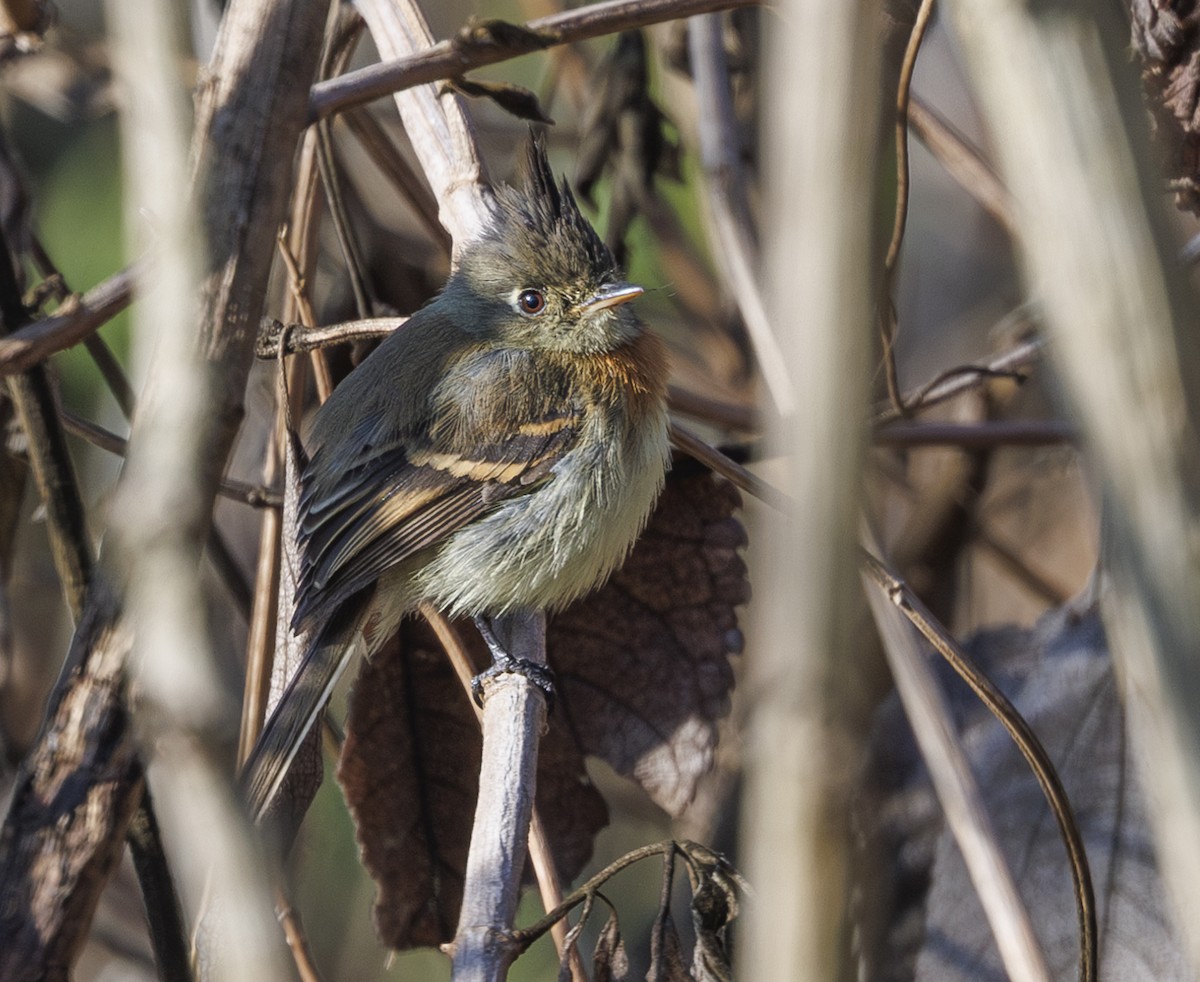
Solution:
(499, 453)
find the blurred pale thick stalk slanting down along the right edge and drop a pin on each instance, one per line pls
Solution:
(1066, 122)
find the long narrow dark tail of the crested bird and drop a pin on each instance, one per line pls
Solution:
(298, 710)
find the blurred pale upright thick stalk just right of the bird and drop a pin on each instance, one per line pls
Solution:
(806, 740)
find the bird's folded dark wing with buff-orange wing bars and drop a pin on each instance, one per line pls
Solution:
(415, 492)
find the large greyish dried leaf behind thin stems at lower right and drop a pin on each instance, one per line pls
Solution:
(1060, 678)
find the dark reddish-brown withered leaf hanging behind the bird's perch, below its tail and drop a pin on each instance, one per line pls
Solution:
(410, 770)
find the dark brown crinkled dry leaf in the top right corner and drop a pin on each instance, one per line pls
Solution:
(1166, 37)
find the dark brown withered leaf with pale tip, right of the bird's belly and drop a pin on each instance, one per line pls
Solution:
(643, 664)
